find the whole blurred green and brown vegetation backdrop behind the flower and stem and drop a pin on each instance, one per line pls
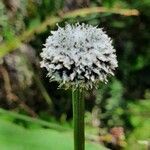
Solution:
(35, 115)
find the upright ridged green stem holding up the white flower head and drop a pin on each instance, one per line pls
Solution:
(78, 116)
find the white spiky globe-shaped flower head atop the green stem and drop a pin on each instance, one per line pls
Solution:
(79, 55)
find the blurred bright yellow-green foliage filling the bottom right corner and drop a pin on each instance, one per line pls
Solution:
(139, 118)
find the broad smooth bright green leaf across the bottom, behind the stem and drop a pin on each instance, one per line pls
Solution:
(14, 137)
